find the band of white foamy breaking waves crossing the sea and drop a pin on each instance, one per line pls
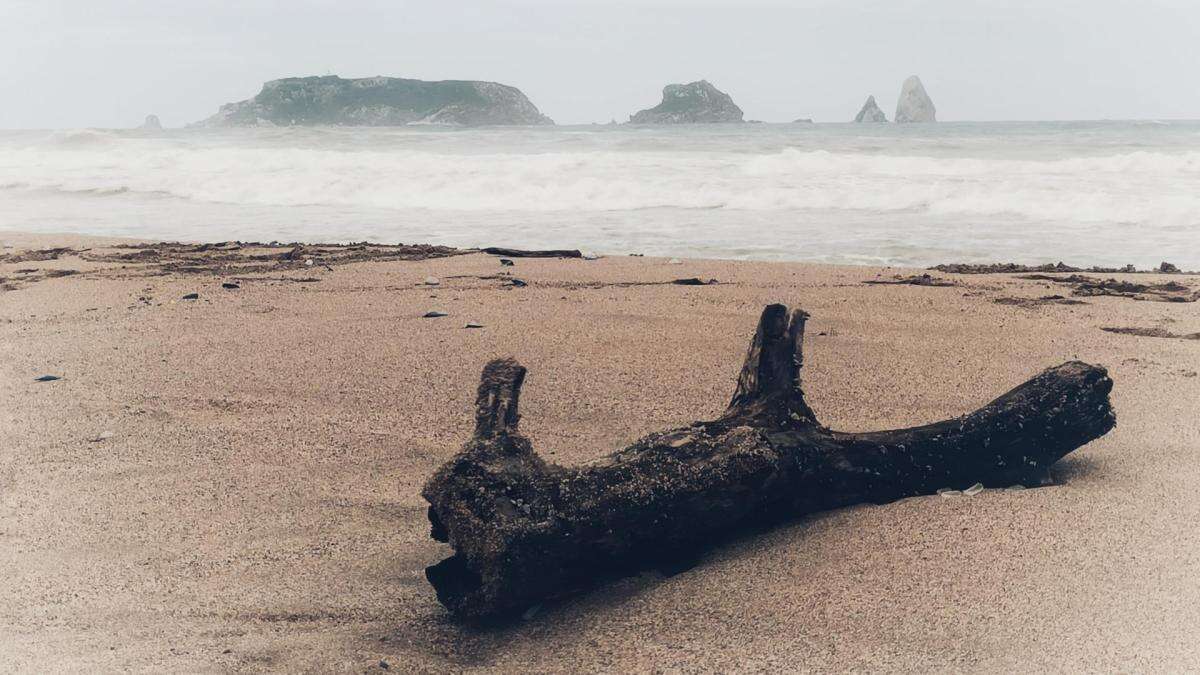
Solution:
(1126, 188)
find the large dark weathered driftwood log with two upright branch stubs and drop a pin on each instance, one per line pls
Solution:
(525, 530)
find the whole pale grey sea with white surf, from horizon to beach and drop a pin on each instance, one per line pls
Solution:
(1106, 194)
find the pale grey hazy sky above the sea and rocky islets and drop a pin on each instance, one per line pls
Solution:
(109, 63)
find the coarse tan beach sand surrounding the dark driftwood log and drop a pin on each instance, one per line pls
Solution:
(256, 506)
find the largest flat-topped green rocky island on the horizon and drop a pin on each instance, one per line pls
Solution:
(380, 101)
